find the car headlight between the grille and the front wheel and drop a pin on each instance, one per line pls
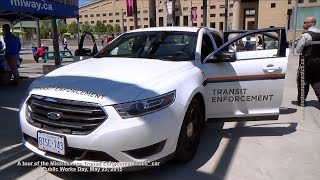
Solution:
(139, 108)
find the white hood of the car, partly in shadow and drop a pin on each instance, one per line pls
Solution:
(108, 80)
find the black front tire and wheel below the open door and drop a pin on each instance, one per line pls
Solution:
(189, 135)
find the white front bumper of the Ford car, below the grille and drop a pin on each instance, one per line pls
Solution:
(116, 139)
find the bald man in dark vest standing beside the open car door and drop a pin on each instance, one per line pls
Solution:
(309, 63)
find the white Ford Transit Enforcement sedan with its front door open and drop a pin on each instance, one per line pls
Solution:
(146, 96)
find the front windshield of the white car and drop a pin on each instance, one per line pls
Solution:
(164, 45)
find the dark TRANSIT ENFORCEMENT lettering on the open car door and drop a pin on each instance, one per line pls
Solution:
(237, 95)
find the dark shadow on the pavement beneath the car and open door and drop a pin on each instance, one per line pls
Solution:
(210, 141)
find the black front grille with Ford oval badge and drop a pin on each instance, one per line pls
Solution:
(64, 116)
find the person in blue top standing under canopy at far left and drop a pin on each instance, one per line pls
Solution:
(13, 47)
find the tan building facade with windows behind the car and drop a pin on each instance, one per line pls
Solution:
(242, 14)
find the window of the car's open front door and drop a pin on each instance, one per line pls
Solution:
(255, 42)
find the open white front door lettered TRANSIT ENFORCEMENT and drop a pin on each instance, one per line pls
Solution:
(250, 84)
